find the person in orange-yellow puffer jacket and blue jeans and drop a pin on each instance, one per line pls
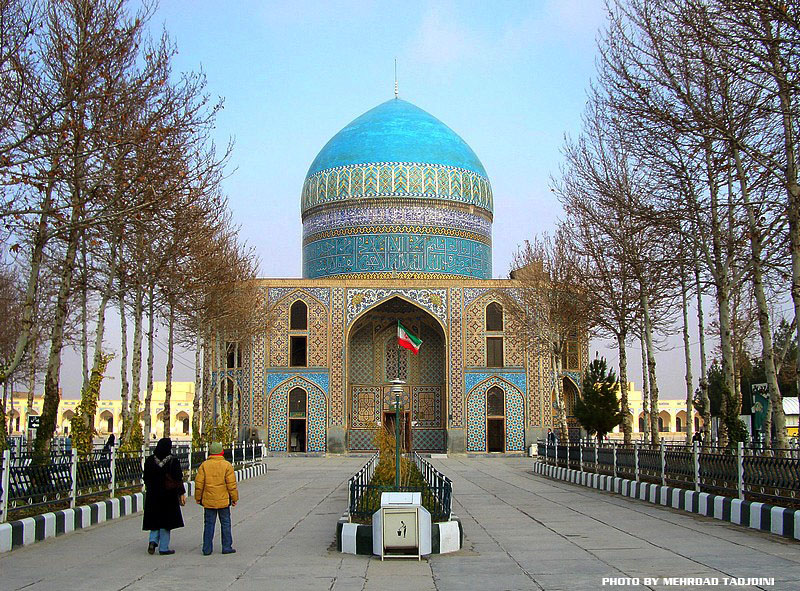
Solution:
(216, 490)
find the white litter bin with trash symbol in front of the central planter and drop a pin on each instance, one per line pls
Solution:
(402, 526)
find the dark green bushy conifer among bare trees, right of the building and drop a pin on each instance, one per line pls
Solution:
(598, 410)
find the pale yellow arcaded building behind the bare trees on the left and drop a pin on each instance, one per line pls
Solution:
(108, 417)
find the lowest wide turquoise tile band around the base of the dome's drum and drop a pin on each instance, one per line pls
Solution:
(381, 254)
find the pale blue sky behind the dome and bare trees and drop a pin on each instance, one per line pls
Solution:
(509, 77)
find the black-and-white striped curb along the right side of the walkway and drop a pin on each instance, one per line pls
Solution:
(777, 520)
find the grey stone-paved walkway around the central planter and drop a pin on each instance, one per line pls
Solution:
(522, 532)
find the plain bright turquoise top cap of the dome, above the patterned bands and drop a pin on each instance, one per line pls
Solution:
(397, 131)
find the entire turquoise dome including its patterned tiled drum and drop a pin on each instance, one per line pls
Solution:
(397, 193)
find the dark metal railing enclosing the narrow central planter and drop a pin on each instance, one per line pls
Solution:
(364, 498)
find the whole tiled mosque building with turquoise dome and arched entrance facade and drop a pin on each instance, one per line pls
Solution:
(397, 213)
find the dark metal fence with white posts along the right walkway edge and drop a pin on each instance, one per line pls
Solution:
(747, 472)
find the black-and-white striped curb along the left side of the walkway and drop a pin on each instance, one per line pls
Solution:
(49, 525)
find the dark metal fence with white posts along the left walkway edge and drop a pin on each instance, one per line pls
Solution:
(30, 488)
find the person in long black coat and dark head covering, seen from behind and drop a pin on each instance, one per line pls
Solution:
(164, 496)
